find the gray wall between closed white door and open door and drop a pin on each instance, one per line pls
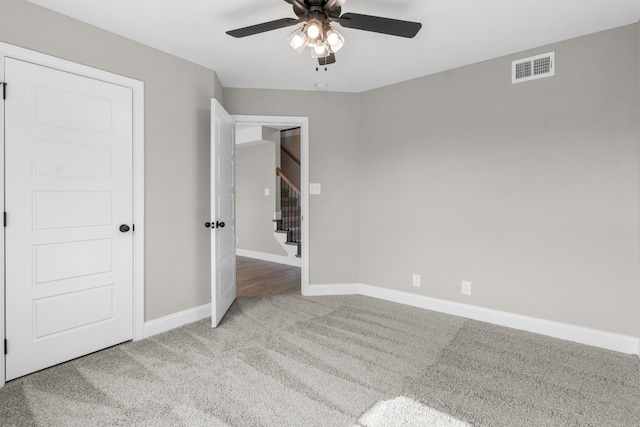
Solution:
(177, 129)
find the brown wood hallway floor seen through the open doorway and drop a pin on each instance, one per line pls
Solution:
(259, 278)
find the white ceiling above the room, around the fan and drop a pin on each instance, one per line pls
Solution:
(454, 33)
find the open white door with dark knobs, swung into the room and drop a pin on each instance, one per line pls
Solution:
(223, 221)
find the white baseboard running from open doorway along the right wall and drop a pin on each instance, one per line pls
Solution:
(593, 337)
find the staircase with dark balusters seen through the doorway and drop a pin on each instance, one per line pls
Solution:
(289, 224)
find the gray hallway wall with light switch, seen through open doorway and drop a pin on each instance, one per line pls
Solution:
(255, 171)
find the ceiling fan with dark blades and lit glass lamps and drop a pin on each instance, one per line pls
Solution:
(317, 32)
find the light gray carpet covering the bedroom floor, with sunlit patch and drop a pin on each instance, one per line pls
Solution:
(333, 361)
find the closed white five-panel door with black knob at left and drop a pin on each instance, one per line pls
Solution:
(69, 263)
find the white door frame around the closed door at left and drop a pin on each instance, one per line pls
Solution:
(137, 87)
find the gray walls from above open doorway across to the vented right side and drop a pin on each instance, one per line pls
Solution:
(529, 191)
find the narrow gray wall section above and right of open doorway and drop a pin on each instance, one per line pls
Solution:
(333, 152)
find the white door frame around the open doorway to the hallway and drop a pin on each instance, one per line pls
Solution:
(303, 123)
